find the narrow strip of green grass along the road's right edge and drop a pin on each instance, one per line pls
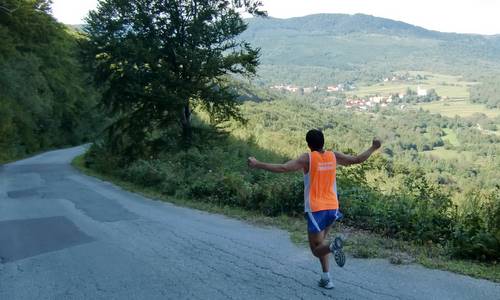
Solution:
(359, 244)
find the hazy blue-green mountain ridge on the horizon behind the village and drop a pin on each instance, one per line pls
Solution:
(306, 49)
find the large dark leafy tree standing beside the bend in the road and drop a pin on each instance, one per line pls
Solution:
(158, 59)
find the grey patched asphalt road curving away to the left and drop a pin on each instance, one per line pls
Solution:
(64, 235)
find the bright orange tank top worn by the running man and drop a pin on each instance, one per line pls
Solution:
(320, 184)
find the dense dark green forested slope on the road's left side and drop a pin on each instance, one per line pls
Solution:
(45, 100)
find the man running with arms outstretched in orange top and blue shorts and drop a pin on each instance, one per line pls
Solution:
(321, 204)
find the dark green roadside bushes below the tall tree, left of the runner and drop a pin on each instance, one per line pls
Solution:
(197, 173)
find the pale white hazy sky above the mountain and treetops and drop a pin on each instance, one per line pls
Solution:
(466, 16)
